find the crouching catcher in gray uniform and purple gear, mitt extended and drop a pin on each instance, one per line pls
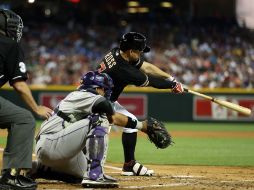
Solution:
(74, 140)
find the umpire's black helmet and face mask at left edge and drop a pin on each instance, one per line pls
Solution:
(11, 24)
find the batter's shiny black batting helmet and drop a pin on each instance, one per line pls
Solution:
(134, 40)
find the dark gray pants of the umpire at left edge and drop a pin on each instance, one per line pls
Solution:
(20, 124)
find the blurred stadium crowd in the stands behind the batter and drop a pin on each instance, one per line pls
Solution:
(198, 55)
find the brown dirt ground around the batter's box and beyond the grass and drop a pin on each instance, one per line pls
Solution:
(178, 177)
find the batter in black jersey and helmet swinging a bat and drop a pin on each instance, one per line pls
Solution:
(126, 66)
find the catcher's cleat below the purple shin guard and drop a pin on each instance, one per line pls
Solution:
(103, 182)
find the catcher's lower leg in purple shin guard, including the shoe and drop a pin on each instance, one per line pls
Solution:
(96, 150)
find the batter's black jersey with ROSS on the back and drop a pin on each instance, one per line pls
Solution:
(122, 72)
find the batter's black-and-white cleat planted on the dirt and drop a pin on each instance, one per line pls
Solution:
(133, 168)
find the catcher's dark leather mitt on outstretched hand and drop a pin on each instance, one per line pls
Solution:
(157, 133)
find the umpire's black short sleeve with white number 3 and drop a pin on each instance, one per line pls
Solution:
(16, 67)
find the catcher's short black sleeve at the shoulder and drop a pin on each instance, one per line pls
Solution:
(103, 106)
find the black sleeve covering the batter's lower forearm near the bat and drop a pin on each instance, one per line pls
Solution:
(160, 83)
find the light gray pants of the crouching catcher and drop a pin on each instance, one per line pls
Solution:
(62, 151)
